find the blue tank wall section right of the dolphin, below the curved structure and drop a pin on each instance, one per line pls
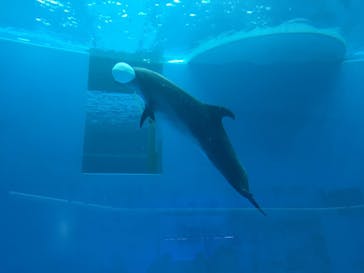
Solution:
(298, 128)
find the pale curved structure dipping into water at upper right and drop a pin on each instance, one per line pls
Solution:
(291, 42)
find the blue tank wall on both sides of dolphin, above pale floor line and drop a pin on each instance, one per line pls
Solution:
(307, 140)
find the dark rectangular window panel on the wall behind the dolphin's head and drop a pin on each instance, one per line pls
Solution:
(113, 141)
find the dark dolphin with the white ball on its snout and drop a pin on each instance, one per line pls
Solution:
(202, 121)
